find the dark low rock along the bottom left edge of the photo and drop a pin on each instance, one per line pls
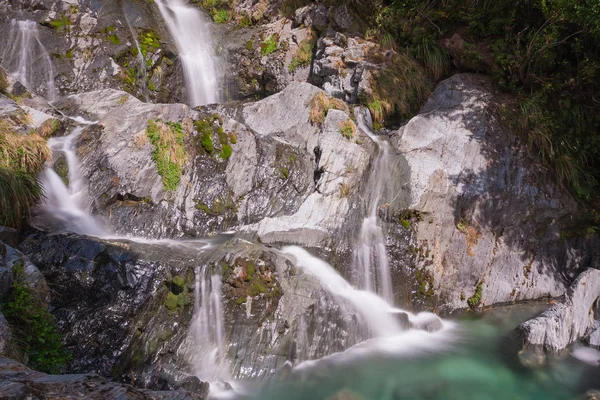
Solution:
(19, 382)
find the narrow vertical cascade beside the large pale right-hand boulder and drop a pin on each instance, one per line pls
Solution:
(370, 262)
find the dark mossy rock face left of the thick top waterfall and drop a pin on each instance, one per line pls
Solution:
(91, 46)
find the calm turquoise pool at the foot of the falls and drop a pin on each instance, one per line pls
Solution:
(481, 361)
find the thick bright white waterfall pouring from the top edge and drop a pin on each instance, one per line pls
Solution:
(190, 31)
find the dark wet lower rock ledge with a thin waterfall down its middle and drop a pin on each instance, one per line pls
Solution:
(126, 308)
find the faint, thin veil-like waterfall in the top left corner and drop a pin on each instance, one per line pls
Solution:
(24, 49)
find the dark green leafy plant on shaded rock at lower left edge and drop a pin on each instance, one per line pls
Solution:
(34, 328)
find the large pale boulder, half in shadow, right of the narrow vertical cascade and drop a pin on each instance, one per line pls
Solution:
(491, 223)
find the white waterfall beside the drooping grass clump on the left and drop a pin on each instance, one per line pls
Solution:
(67, 203)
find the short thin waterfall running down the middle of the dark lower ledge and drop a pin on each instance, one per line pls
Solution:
(206, 345)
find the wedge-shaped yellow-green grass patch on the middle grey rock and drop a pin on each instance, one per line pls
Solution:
(169, 153)
